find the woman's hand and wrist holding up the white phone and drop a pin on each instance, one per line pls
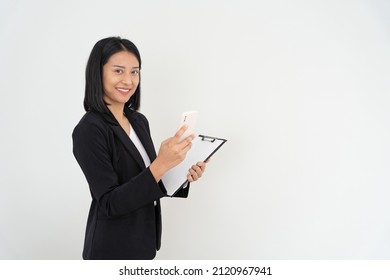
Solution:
(172, 152)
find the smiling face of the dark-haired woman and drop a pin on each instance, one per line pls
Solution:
(120, 78)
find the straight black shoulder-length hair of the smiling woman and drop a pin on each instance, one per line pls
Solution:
(101, 52)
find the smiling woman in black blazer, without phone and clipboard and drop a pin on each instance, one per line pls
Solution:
(114, 149)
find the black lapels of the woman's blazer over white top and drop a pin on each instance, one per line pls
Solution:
(140, 129)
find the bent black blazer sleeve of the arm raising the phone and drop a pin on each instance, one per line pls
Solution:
(91, 149)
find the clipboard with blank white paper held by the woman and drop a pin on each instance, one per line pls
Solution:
(203, 147)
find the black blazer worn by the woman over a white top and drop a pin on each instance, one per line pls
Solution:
(124, 220)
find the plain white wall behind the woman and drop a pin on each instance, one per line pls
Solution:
(299, 88)
